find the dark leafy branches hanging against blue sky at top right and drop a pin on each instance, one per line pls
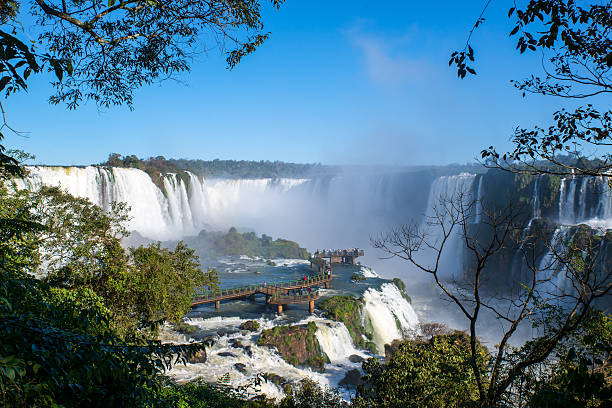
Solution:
(574, 39)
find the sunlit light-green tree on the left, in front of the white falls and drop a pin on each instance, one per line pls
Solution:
(78, 247)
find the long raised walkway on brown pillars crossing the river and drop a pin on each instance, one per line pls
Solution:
(276, 293)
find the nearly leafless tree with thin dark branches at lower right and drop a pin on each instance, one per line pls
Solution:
(537, 297)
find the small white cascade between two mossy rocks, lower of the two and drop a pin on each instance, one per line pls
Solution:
(335, 341)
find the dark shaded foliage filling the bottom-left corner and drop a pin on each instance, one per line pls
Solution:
(57, 348)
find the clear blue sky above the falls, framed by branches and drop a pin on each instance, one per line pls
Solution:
(339, 82)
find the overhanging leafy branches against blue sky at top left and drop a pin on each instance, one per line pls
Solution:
(110, 48)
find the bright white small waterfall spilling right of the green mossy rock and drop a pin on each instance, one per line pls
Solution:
(390, 315)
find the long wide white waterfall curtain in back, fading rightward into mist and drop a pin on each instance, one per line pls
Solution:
(343, 210)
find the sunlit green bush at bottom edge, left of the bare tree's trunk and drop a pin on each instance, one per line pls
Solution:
(431, 373)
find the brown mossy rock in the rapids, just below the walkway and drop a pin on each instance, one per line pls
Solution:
(298, 345)
